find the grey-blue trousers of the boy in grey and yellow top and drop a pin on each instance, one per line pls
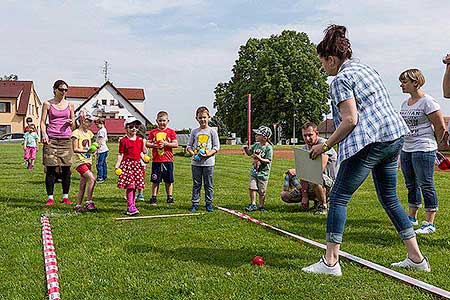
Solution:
(207, 175)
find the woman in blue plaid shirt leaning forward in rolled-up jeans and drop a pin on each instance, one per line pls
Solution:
(370, 136)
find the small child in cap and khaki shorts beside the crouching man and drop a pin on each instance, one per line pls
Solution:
(262, 154)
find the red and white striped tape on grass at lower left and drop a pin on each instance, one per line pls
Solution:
(51, 265)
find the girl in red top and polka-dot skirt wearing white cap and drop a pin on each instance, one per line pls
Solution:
(131, 148)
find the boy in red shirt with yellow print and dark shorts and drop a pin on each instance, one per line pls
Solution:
(162, 140)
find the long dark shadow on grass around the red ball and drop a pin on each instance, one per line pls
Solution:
(218, 256)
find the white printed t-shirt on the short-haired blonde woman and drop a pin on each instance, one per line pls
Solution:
(421, 136)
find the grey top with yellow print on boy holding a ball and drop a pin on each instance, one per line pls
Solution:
(206, 139)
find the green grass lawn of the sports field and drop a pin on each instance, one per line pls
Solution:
(189, 257)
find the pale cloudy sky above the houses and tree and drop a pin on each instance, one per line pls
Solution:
(179, 50)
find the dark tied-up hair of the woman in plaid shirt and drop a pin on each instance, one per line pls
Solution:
(335, 43)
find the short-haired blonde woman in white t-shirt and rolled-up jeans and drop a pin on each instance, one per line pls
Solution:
(426, 124)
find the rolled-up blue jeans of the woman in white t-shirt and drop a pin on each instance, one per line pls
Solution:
(418, 171)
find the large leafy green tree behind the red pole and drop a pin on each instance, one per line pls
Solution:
(283, 75)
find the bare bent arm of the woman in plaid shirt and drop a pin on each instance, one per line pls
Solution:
(349, 115)
